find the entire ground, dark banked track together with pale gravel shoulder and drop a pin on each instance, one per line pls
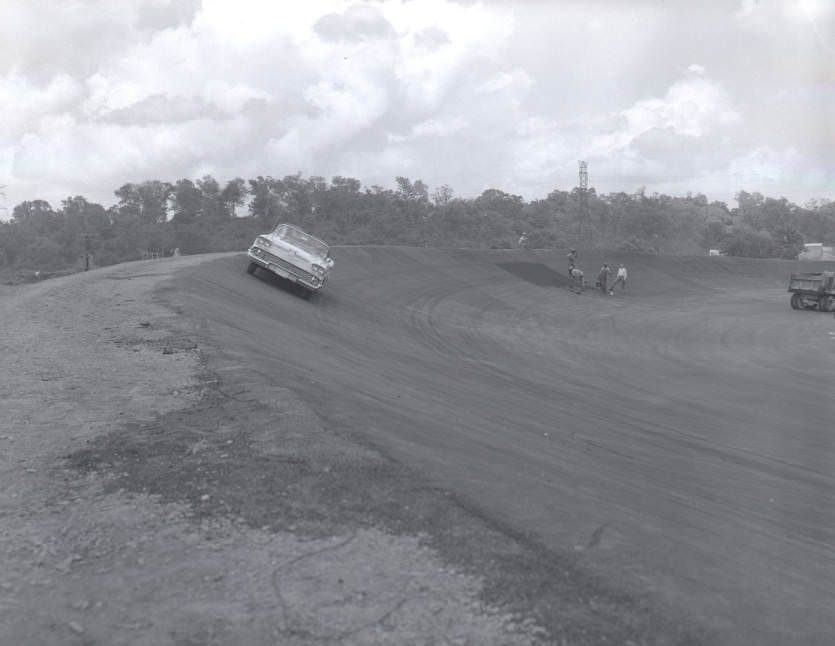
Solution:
(441, 447)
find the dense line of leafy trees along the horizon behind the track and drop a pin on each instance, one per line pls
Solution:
(156, 217)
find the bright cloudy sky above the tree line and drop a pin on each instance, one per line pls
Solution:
(673, 95)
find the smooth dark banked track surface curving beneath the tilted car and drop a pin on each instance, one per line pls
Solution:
(676, 437)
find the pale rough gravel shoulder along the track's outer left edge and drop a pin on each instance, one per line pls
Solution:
(100, 385)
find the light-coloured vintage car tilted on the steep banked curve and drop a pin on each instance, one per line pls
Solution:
(294, 255)
